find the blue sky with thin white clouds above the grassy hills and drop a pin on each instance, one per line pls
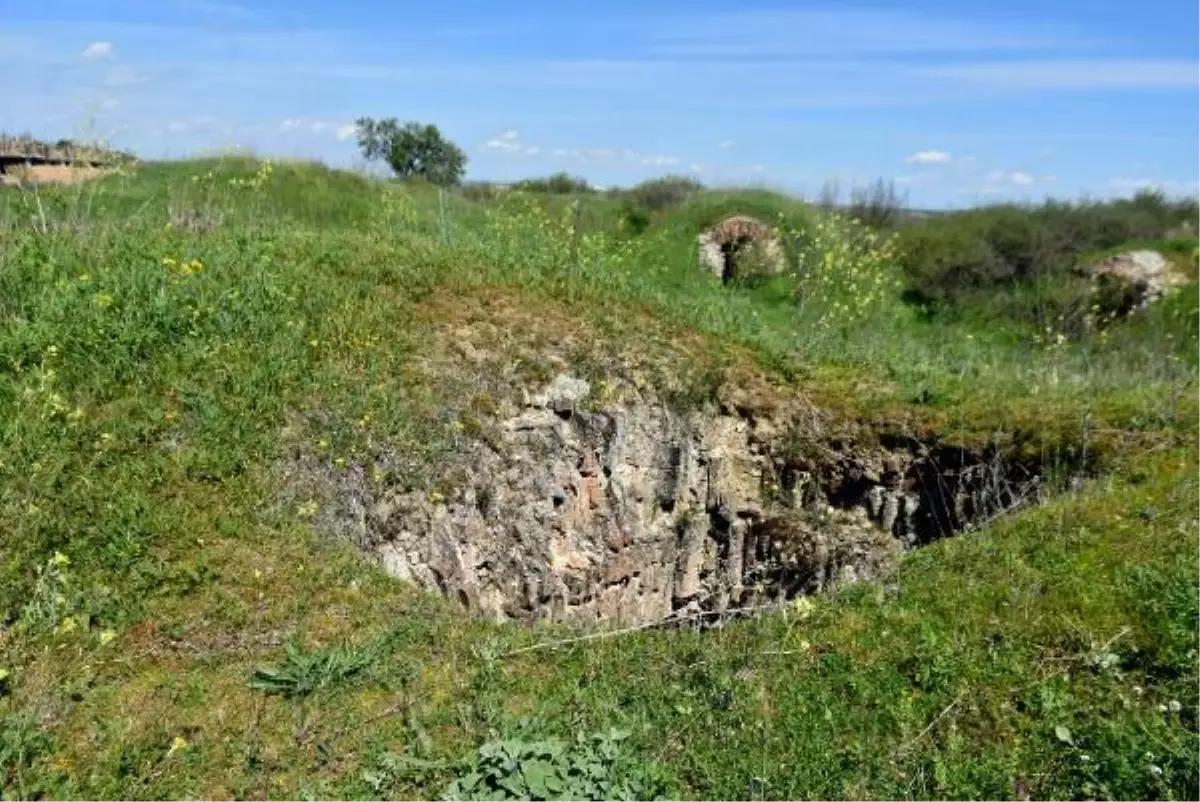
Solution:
(958, 103)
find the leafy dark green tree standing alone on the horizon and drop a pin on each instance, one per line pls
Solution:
(412, 151)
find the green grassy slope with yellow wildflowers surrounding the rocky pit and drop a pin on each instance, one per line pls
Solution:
(145, 406)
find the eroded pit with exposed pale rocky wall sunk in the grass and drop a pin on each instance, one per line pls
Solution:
(637, 513)
